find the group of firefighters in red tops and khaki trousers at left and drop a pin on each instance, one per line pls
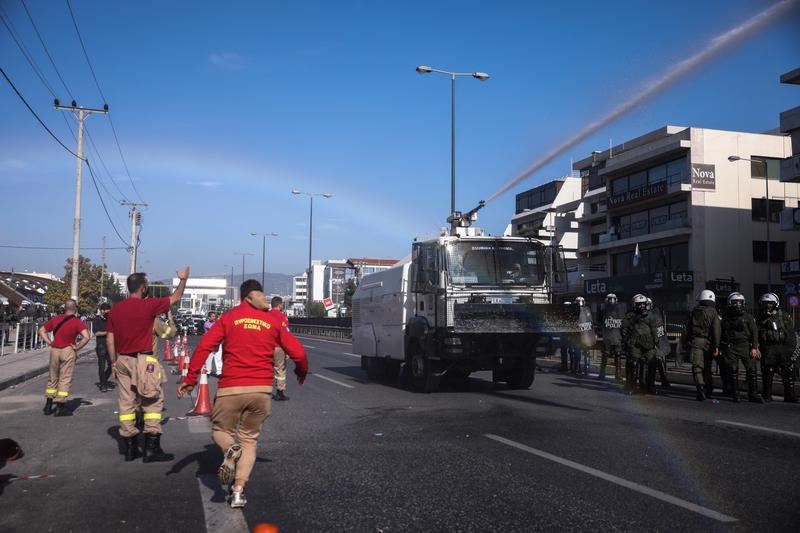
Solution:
(247, 348)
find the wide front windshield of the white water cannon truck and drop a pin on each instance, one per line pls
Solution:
(495, 263)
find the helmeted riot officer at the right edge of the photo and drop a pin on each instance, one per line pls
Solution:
(777, 339)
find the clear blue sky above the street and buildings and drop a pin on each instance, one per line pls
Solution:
(223, 108)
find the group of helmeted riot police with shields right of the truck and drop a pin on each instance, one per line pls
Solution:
(731, 336)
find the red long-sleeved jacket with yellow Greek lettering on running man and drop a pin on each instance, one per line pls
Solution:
(248, 337)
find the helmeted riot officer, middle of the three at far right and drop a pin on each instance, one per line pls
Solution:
(739, 343)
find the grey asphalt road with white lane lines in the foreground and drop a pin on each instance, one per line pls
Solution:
(344, 454)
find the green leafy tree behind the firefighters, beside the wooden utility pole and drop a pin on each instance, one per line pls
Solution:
(89, 276)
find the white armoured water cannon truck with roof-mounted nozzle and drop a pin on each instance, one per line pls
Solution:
(461, 303)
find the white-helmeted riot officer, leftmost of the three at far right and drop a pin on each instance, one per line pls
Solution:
(703, 331)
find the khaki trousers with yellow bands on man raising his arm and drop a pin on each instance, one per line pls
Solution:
(130, 400)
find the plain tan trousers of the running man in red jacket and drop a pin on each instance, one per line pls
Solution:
(240, 415)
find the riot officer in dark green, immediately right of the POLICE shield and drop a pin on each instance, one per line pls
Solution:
(640, 334)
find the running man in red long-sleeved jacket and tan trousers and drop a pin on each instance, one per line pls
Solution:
(249, 334)
